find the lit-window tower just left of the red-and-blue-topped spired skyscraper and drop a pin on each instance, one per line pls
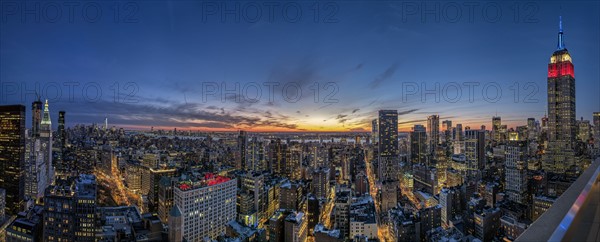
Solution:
(516, 171)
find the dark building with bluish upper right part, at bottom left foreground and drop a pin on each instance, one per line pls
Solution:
(70, 209)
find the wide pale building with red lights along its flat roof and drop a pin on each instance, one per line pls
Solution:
(192, 218)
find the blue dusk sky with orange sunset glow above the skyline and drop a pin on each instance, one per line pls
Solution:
(367, 54)
